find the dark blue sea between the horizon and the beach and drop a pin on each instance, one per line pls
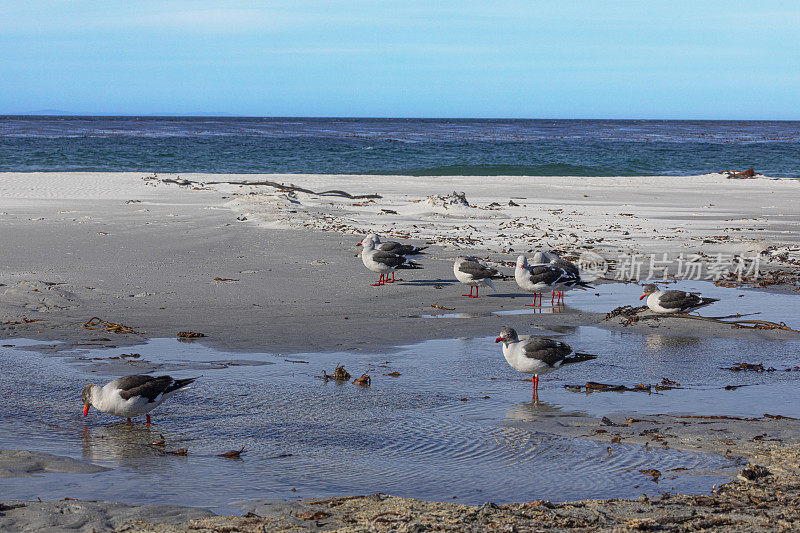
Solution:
(436, 147)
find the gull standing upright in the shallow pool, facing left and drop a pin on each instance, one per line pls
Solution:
(536, 355)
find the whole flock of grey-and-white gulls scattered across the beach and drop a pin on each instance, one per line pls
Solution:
(137, 395)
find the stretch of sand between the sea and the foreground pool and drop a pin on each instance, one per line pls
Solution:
(145, 253)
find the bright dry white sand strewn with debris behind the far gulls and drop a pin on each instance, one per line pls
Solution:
(621, 215)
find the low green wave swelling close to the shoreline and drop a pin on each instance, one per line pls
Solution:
(549, 169)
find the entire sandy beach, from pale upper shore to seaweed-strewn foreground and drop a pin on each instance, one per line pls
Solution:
(264, 268)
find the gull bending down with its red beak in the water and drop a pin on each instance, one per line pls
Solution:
(131, 395)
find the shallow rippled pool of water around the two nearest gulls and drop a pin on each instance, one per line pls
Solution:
(457, 424)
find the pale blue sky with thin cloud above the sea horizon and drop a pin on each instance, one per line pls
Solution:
(513, 59)
